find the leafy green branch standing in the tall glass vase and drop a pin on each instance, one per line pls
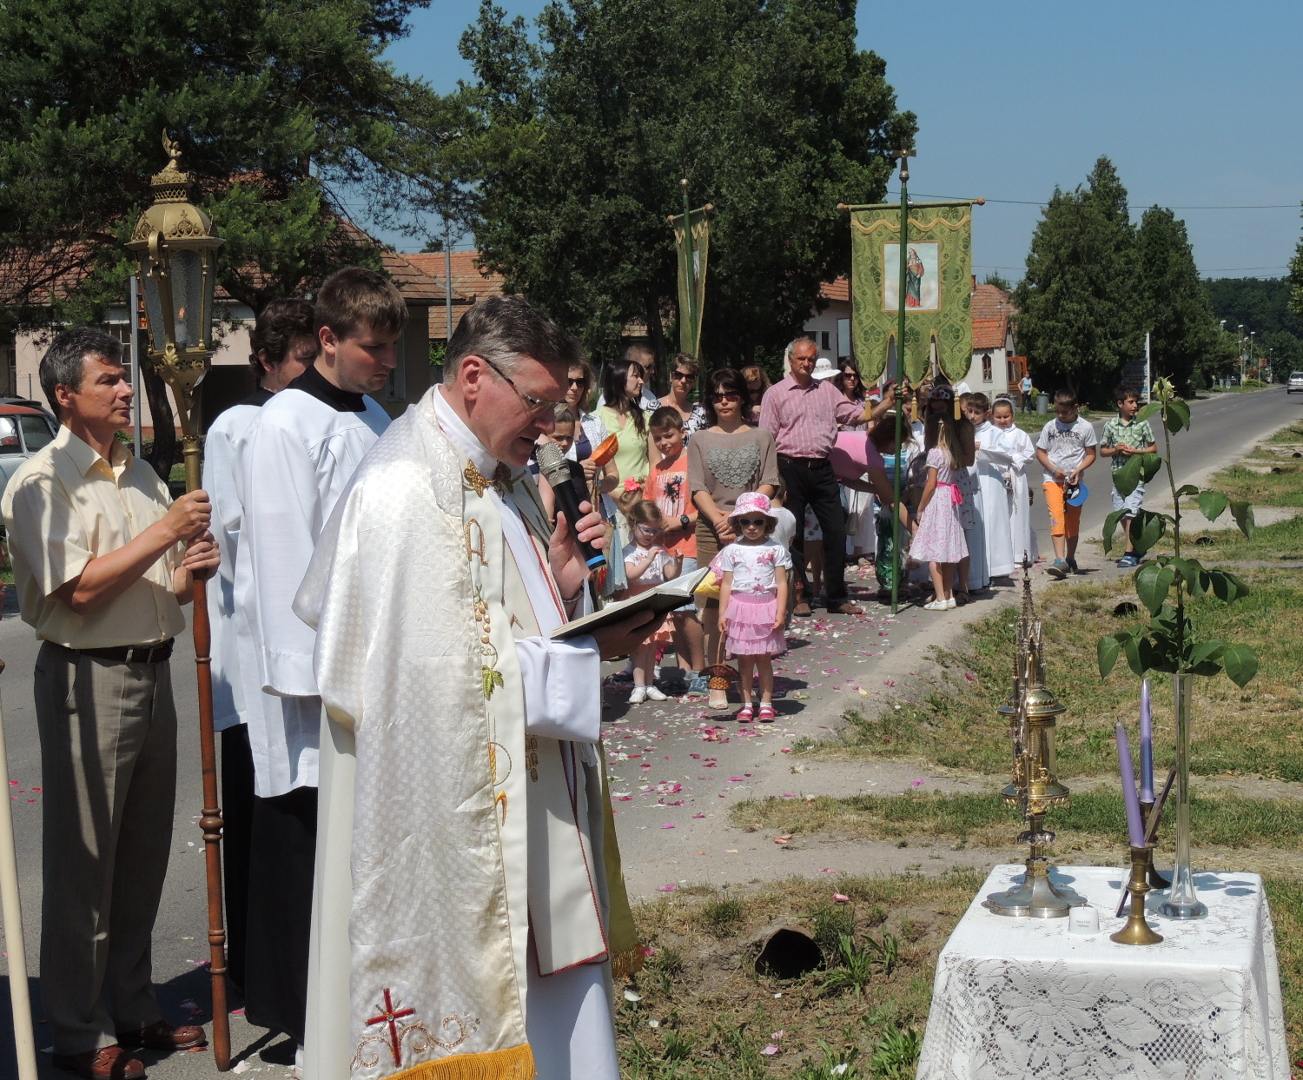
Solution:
(1169, 642)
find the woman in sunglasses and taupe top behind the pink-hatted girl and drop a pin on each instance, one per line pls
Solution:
(725, 459)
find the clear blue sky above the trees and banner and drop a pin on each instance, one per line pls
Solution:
(1197, 104)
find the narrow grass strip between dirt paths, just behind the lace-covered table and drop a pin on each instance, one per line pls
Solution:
(984, 820)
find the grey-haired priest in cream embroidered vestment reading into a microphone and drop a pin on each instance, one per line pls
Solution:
(462, 903)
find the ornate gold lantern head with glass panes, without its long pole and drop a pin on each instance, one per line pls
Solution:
(177, 248)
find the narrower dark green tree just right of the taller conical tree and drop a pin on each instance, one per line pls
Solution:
(1175, 306)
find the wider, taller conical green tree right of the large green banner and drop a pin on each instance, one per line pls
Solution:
(1080, 317)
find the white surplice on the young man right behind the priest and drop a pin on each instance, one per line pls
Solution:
(299, 458)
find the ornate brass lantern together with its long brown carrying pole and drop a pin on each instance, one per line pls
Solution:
(169, 229)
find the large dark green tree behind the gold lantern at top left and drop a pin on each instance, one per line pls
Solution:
(278, 115)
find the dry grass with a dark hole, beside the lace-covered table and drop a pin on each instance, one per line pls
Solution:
(704, 1016)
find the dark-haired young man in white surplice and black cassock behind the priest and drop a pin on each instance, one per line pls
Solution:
(302, 453)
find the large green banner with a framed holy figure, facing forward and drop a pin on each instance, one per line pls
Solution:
(938, 289)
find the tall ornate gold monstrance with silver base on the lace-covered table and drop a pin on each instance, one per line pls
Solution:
(1033, 711)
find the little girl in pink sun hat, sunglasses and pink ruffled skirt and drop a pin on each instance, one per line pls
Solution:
(754, 599)
